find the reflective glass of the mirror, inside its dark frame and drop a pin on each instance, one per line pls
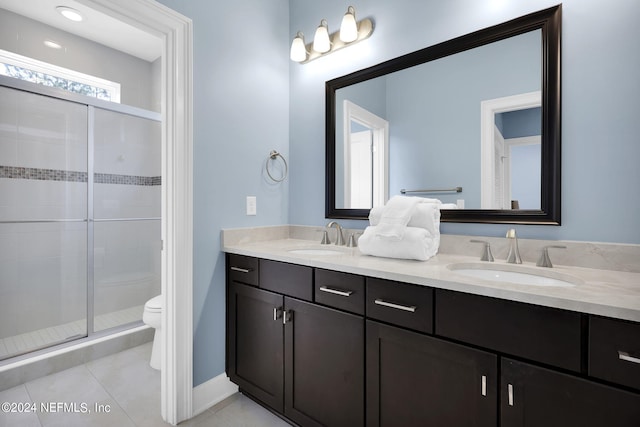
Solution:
(422, 128)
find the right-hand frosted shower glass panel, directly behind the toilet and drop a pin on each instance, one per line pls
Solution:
(126, 216)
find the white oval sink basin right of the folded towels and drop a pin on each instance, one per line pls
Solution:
(511, 273)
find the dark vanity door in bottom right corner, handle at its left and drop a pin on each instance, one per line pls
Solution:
(532, 396)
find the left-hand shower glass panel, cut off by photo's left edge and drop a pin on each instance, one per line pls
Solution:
(43, 221)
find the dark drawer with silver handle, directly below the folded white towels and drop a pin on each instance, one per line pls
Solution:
(400, 304)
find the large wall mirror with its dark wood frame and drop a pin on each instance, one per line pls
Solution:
(446, 121)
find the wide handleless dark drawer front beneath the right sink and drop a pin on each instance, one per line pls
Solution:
(542, 334)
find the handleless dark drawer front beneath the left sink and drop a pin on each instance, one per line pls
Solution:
(287, 279)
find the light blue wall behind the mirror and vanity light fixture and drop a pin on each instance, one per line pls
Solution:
(600, 88)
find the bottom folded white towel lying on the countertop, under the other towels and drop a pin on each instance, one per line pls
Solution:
(416, 243)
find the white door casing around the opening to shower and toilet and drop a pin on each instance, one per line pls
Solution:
(176, 32)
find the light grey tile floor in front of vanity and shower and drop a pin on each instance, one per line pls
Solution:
(123, 383)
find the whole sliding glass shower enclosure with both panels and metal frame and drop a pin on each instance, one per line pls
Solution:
(80, 194)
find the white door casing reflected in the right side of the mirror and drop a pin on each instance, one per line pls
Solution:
(488, 110)
